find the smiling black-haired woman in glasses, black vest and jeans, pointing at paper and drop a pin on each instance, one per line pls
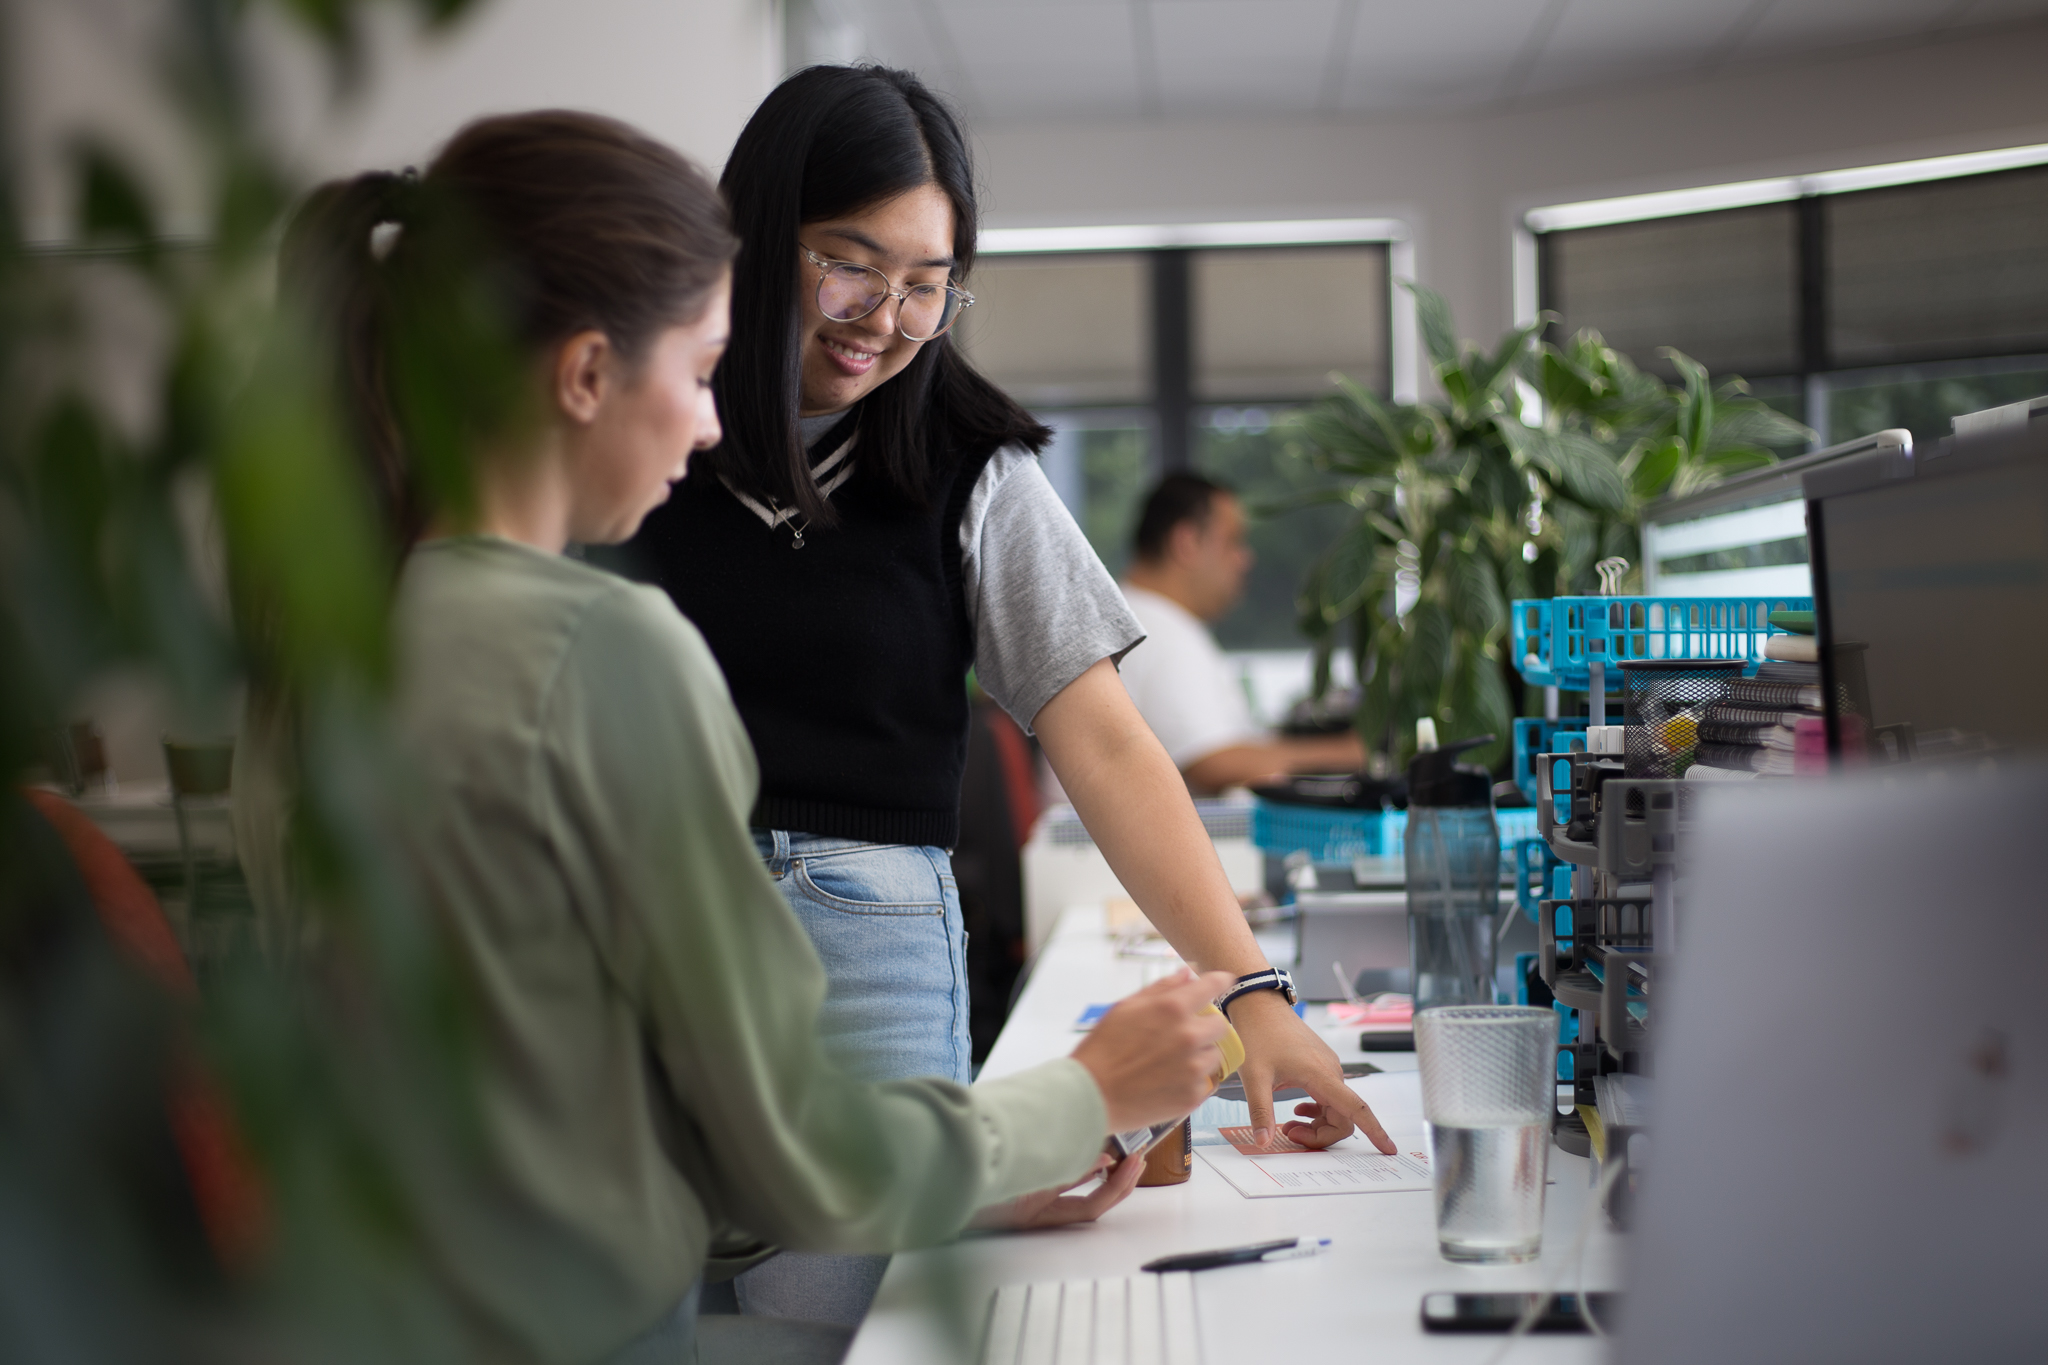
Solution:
(873, 527)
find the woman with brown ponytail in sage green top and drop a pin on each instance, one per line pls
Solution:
(527, 339)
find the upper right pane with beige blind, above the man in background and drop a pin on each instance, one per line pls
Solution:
(1275, 322)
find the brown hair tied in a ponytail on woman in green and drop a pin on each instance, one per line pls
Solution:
(437, 290)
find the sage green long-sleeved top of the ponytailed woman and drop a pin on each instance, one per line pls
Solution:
(652, 1075)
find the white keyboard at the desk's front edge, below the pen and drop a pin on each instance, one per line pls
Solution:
(1136, 1321)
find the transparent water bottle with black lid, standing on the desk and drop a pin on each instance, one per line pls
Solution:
(1453, 877)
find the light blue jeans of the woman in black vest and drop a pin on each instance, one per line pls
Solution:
(886, 920)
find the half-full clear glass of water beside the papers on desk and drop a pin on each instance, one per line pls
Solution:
(1488, 1094)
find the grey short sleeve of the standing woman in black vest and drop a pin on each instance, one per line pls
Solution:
(1039, 601)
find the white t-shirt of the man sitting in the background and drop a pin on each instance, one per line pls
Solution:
(1183, 685)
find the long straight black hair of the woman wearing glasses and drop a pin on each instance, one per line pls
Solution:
(828, 142)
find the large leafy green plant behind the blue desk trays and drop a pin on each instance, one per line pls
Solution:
(1474, 500)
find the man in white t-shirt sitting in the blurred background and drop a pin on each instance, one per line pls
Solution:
(1191, 568)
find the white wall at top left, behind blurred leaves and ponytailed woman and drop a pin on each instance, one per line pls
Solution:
(685, 71)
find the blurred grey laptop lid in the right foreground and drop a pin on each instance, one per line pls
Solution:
(1852, 1075)
